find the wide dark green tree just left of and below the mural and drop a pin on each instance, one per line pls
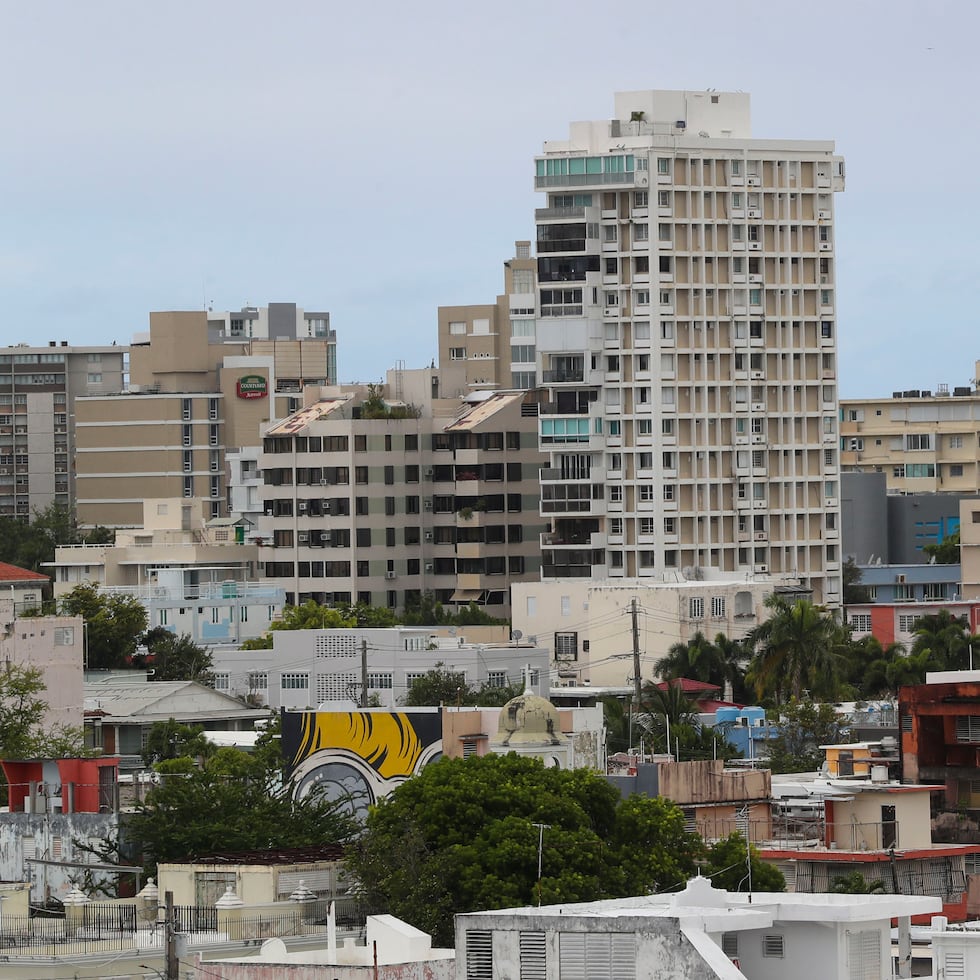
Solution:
(234, 802)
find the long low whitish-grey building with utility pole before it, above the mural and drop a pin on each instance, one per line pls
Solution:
(308, 668)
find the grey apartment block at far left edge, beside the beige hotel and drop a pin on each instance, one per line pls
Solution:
(38, 388)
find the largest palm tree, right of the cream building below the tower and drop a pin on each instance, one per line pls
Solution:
(800, 646)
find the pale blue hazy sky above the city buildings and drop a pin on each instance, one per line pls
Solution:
(377, 162)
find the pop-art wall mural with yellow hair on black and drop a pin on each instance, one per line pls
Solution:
(360, 756)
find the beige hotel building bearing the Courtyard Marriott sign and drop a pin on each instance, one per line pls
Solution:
(200, 384)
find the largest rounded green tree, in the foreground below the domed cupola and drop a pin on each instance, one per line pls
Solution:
(462, 835)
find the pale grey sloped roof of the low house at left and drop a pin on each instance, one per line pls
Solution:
(153, 700)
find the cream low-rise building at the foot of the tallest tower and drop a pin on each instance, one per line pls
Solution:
(588, 624)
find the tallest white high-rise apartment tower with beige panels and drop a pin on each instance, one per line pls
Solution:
(686, 335)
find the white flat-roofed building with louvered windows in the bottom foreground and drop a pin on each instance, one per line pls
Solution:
(699, 933)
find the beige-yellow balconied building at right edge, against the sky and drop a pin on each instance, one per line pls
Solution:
(923, 441)
